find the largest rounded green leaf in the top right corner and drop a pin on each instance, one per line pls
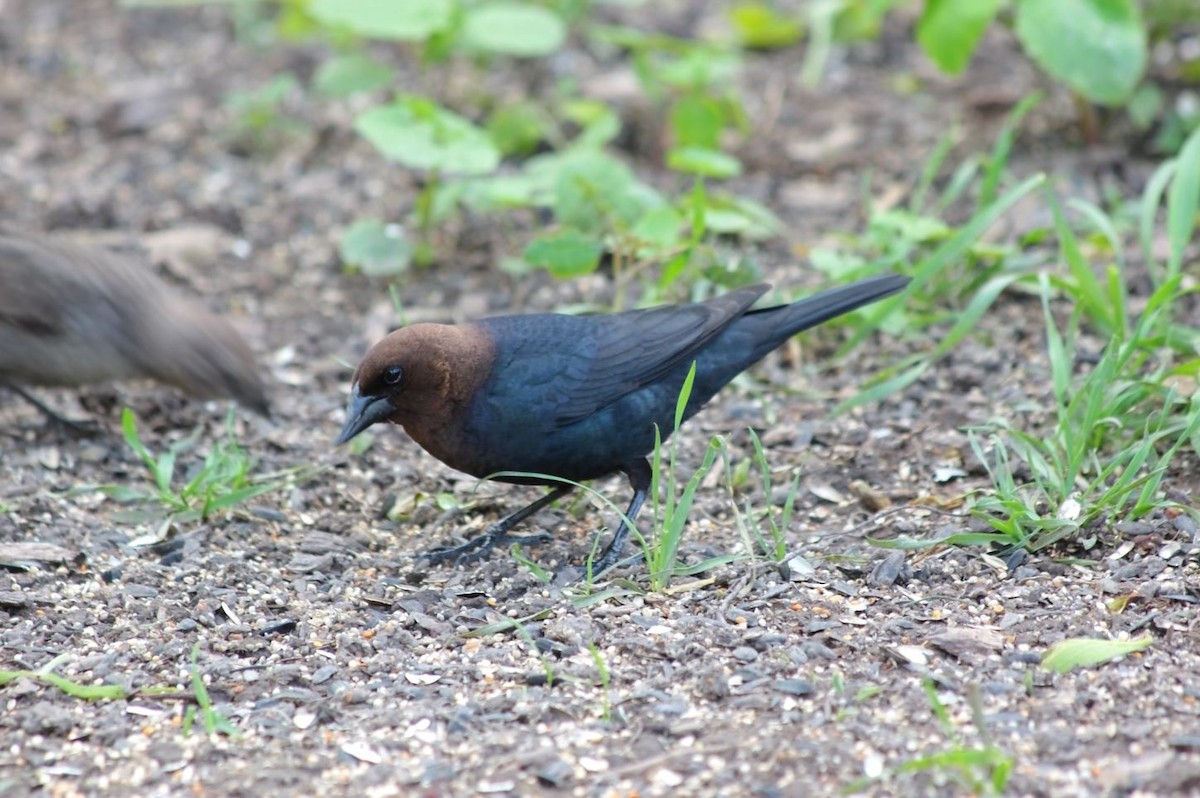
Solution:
(1096, 47)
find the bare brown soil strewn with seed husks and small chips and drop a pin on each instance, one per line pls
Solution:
(346, 664)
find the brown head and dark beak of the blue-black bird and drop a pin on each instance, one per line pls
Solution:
(418, 377)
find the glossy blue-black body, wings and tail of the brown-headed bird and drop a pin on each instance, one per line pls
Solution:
(579, 397)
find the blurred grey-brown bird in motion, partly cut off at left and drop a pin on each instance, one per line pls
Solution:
(71, 316)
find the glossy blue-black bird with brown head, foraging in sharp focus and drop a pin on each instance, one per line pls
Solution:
(572, 397)
